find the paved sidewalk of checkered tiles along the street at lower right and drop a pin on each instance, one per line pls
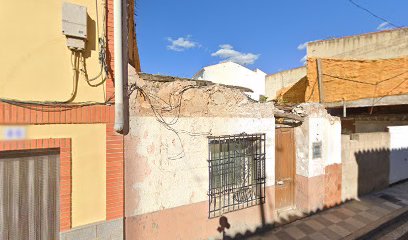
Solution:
(343, 220)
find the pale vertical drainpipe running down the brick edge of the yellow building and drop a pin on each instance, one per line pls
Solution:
(118, 52)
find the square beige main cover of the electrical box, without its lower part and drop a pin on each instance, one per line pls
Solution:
(74, 20)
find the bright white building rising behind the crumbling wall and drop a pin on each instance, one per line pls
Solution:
(231, 73)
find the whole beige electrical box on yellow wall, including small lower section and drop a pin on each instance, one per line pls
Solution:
(74, 25)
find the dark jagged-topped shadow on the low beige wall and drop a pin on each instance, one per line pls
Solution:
(373, 170)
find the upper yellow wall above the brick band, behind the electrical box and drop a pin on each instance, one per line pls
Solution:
(35, 61)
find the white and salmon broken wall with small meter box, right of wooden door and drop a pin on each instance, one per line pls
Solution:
(318, 160)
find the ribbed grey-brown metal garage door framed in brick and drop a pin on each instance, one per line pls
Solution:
(29, 195)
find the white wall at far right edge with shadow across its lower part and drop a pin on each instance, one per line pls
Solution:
(399, 153)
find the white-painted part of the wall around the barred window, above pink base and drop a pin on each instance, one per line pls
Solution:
(155, 181)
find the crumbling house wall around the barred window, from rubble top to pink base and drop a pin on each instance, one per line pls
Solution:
(166, 164)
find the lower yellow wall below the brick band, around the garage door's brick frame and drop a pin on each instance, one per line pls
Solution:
(88, 166)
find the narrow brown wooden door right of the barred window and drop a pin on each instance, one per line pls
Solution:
(284, 168)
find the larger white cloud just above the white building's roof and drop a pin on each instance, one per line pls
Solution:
(227, 53)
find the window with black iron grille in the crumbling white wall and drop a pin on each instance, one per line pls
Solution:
(236, 172)
